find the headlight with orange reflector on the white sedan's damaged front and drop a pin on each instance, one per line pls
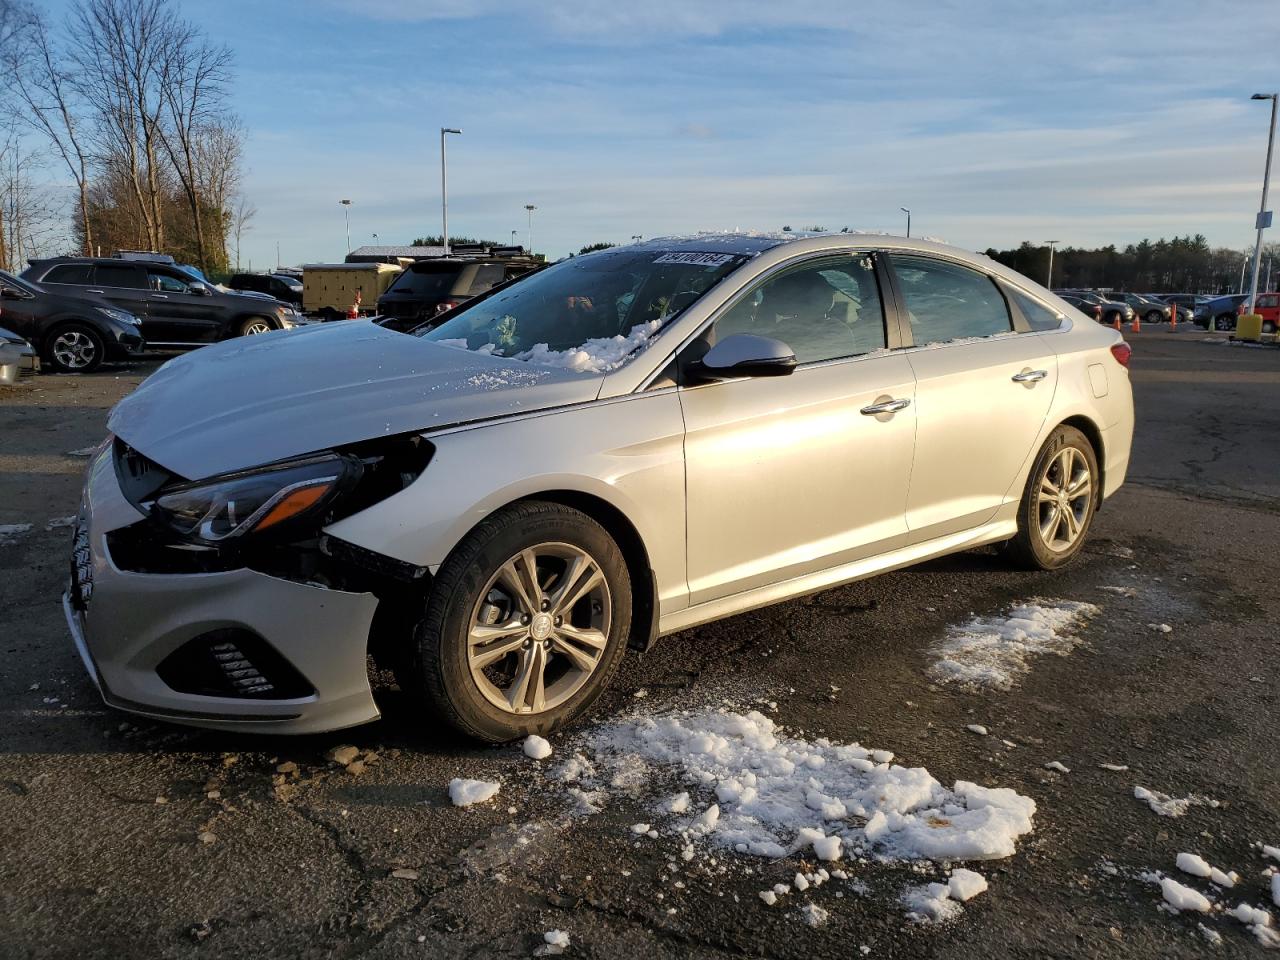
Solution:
(255, 501)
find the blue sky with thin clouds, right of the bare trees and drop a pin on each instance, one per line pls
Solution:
(1090, 122)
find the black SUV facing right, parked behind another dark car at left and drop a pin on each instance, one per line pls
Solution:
(176, 309)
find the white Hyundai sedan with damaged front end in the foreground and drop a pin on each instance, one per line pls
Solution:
(623, 446)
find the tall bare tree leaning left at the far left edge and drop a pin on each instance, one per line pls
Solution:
(44, 93)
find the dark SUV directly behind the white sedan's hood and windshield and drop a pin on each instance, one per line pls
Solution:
(431, 287)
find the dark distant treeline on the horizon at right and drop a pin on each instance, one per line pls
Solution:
(1178, 266)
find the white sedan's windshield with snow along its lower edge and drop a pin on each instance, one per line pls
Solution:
(587, 313)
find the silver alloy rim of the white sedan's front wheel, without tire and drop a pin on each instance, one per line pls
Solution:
(541, 628)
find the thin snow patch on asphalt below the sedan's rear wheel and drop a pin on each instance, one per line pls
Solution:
(995, 652)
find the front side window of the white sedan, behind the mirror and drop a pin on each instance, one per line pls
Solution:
(824, 310)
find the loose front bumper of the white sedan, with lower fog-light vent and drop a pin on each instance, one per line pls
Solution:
(232, 650)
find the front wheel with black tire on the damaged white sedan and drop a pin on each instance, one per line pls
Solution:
(483, 698)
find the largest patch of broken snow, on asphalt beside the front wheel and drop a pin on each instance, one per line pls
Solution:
(769, 796)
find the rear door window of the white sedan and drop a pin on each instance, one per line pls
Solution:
(949, 303)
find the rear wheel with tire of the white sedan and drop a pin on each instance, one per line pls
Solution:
(1035, 548)
